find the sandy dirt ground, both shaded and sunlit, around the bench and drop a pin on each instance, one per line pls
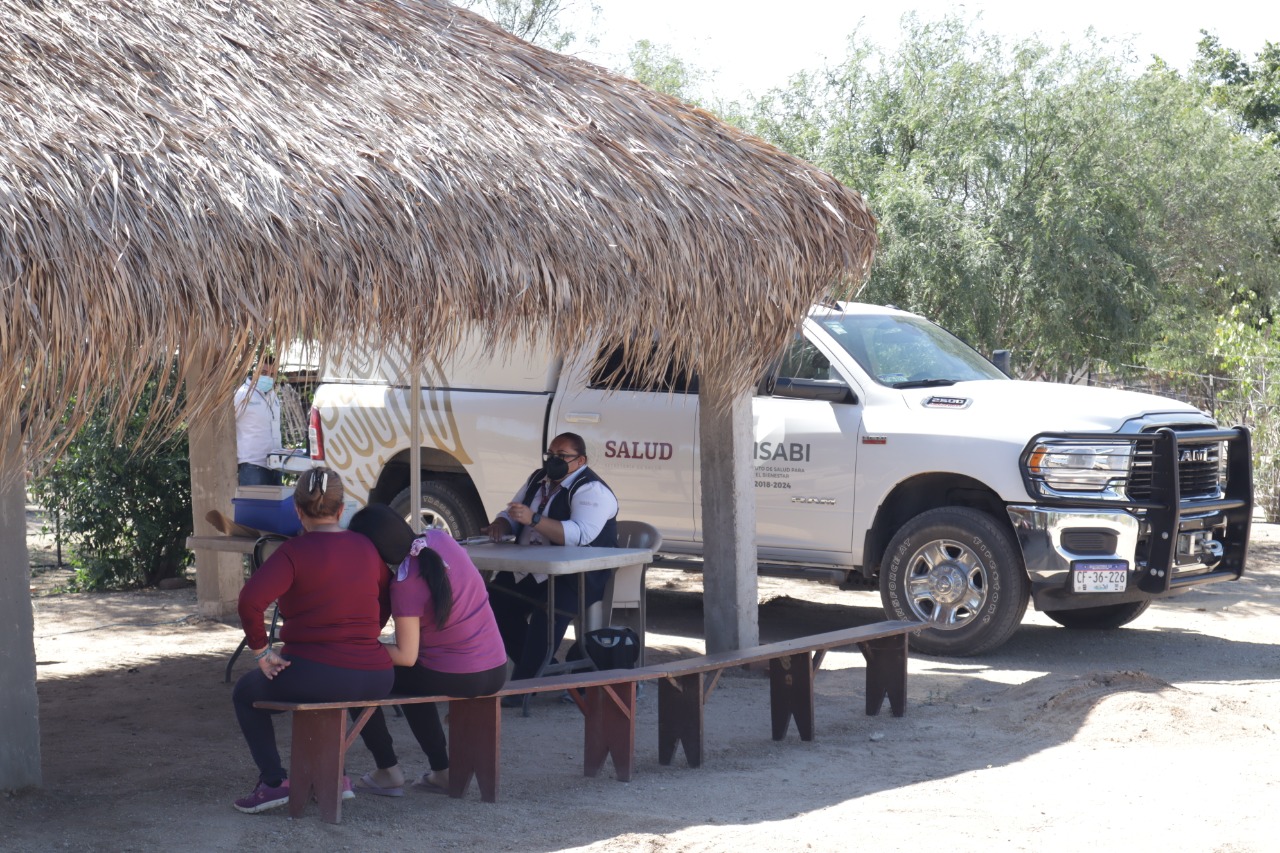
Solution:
(1160, 736)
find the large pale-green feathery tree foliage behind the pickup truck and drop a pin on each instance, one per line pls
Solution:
(1037, 198)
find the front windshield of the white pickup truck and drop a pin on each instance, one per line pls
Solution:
(907, 352)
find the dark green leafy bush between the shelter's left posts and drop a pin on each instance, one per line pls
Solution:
(124, 494)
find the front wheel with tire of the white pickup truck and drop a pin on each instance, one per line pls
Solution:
(958, 571)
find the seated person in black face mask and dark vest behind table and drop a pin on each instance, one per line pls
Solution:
(564, 503)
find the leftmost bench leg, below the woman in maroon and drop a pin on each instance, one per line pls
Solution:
(316, 763)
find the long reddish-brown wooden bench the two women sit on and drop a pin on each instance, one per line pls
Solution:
(607, 701)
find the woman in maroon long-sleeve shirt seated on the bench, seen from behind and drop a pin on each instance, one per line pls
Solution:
(332, 587)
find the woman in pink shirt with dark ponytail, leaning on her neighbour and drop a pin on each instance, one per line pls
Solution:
(447, 642)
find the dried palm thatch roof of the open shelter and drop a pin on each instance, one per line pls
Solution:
(199, 177)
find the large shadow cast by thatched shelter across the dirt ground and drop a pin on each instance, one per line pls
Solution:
(148, 755)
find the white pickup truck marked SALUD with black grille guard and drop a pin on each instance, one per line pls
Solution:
(888, 454)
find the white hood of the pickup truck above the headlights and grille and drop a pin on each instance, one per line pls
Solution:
(1023, 409)
